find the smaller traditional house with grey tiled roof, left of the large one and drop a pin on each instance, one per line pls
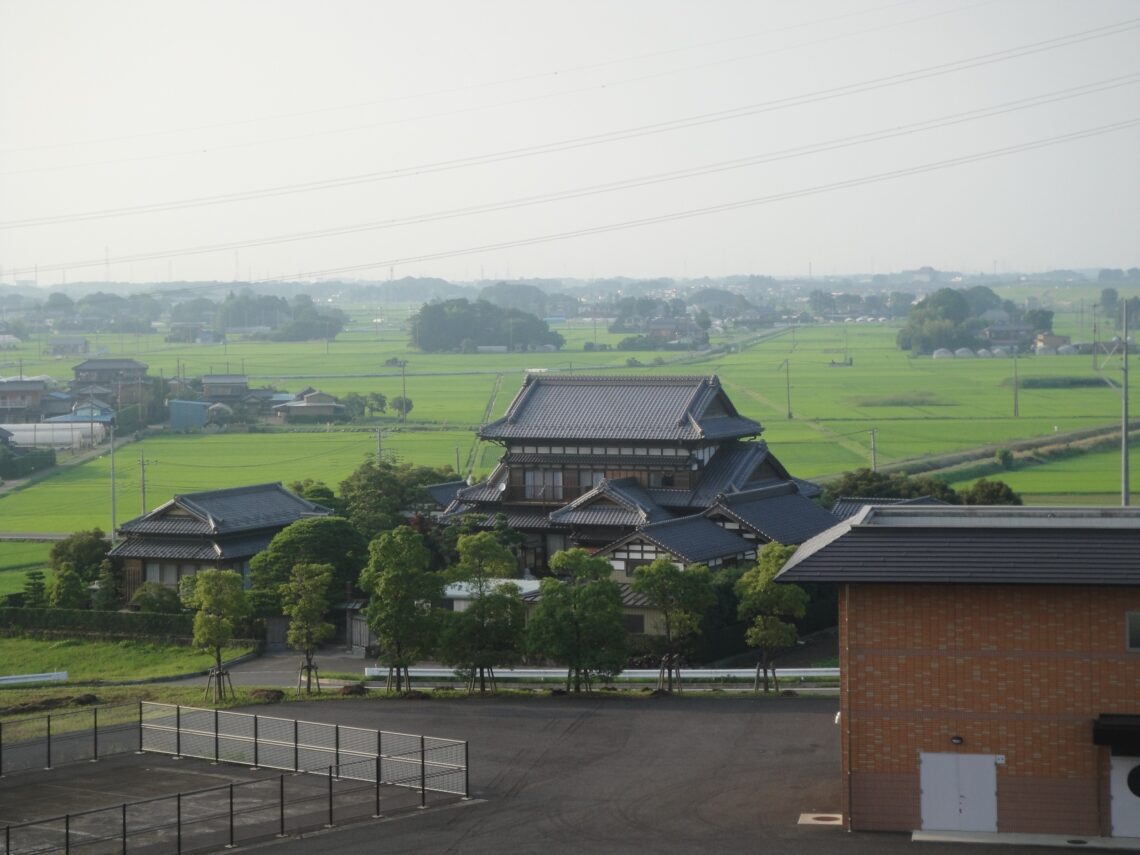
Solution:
(201, 531)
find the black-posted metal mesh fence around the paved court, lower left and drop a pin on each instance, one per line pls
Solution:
(335, 775)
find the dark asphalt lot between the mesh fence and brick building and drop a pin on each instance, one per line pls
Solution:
(726, 775)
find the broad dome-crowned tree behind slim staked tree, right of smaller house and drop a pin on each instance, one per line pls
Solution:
(330, 541)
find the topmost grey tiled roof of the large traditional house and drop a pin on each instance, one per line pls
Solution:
(621, 409)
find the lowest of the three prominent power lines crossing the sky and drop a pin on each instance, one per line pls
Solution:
(721, 208)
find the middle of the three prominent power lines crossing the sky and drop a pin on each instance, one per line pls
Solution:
(615, 186)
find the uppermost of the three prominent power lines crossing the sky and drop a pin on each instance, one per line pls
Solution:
(891, 80)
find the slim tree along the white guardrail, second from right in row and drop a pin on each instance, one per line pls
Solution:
(682, 597)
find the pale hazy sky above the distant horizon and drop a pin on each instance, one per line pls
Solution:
(482, 140)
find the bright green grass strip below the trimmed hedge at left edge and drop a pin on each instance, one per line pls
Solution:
(94, 662)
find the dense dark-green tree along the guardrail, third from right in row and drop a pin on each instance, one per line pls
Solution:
(579, 622)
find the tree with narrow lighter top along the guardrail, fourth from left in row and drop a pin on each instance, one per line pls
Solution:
(488, 634)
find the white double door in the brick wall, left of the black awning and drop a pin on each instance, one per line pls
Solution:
(959, 792)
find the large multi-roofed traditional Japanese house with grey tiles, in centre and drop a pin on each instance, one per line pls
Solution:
(634, 469)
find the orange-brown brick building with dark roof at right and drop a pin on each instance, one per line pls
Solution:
(990, 663)
